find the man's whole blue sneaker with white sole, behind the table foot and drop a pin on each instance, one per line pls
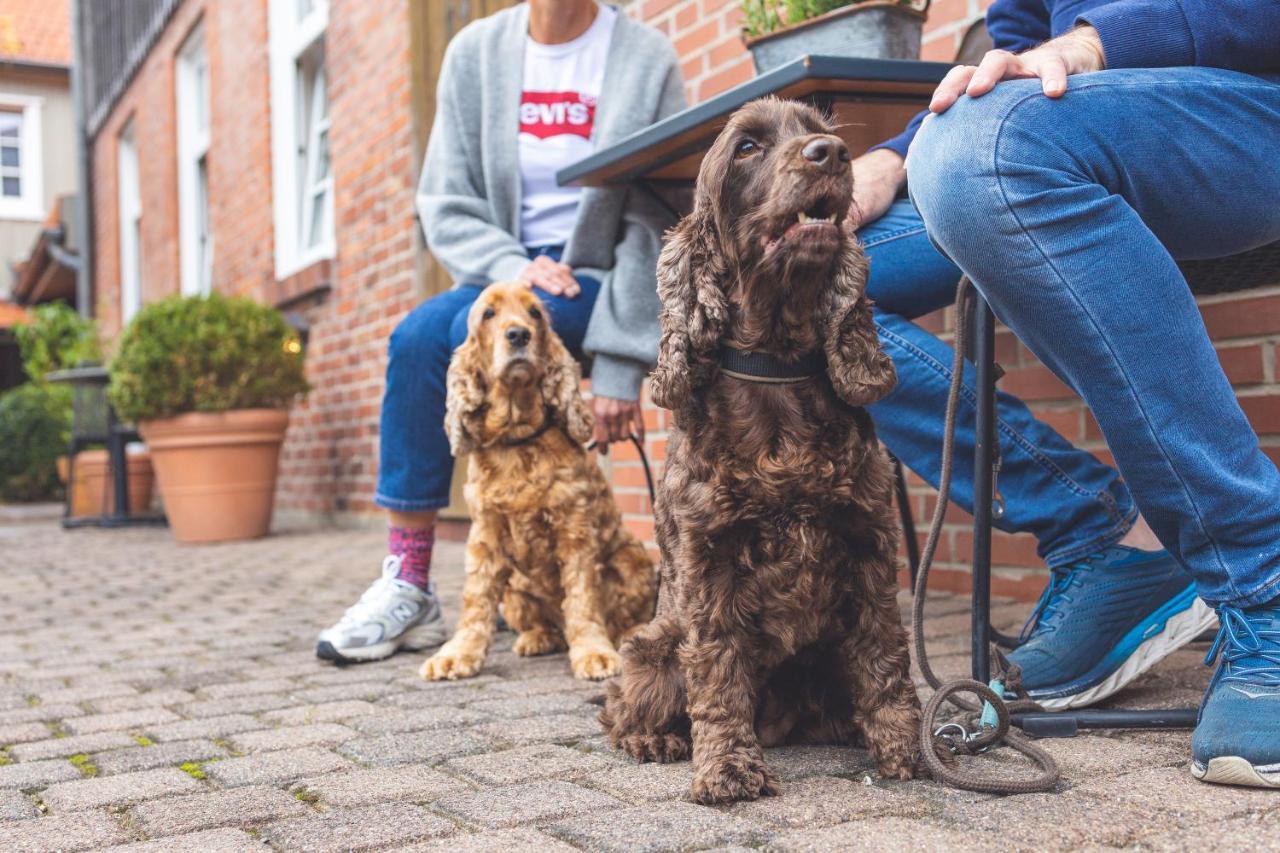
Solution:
(1104, 622)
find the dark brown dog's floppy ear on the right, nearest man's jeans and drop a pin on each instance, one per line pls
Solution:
(860, 371)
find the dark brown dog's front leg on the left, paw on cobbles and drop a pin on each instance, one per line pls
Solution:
(724, 681)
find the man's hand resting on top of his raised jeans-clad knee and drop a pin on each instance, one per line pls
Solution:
(1075, 53)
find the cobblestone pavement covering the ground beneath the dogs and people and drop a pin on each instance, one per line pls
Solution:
(164, 697)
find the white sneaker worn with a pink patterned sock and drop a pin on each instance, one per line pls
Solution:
(390, 615)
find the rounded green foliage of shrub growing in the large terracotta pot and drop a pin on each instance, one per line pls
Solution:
(205, 354)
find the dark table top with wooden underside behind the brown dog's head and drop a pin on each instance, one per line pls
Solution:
(872, 99)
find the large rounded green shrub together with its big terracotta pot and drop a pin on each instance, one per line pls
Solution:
(209, 381)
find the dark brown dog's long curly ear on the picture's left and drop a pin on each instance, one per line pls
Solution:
(692, 276)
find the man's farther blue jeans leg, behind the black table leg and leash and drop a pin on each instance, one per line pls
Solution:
(1073, 504)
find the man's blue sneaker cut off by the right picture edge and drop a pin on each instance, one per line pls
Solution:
(1237, 741)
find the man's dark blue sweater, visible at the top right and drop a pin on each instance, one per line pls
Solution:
(1238, 35)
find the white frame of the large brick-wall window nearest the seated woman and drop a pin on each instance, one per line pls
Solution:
(294, 145)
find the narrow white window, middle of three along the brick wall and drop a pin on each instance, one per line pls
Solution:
(193, 102)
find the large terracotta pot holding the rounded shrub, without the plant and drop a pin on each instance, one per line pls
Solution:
(217, 472)
